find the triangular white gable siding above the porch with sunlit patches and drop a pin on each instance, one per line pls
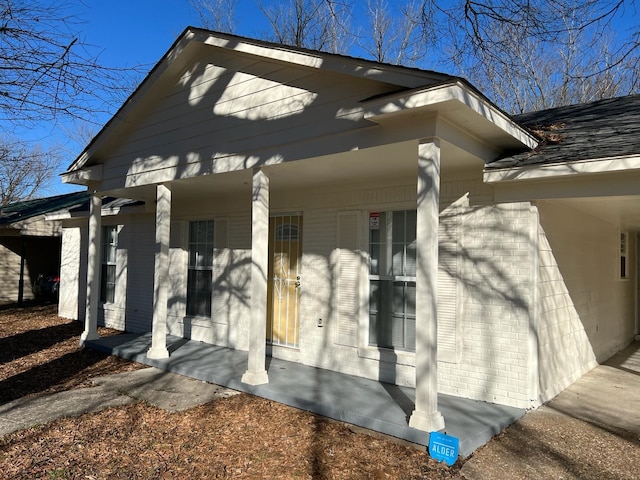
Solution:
(217, 111)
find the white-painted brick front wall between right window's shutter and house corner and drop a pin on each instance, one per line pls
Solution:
(497, 263)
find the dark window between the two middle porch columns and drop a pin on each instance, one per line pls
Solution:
(200, 277)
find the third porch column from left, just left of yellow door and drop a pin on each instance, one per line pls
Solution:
(256, 373)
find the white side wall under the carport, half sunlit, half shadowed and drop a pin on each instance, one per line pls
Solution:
(586, 312)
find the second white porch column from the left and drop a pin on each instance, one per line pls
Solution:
(161, 274)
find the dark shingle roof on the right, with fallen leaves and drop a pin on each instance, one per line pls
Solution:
(598, 130)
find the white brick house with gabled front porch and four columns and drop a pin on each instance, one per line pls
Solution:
(380, 221)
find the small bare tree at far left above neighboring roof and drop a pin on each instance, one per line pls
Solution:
(25, 170)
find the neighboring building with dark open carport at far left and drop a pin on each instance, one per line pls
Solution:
(29, 245)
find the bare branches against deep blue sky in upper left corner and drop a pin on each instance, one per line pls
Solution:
(46, 71)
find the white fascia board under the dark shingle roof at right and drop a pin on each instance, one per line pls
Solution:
(601, 165)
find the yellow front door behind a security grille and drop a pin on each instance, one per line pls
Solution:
(284, 277)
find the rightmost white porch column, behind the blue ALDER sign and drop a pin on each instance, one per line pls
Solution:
(426, 415)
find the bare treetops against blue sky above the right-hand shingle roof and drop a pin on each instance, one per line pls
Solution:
(532, 55)
